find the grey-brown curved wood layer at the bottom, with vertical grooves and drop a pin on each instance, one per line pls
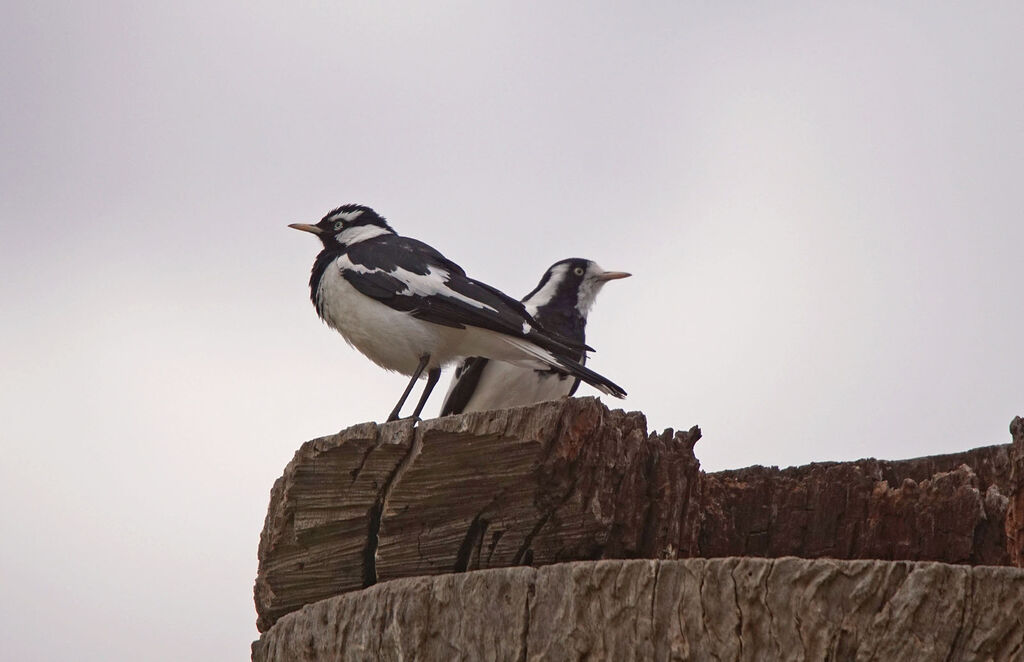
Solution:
(720, 609)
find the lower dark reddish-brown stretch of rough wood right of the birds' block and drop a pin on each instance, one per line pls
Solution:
(948, 508)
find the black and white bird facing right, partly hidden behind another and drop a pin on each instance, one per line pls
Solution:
(561, 304)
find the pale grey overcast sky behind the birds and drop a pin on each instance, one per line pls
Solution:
(822, 209)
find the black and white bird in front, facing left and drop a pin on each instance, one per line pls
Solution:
(411, 310)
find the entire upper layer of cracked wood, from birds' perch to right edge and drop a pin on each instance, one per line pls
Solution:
(573, 481)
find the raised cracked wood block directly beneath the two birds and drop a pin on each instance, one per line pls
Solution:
(565, 480)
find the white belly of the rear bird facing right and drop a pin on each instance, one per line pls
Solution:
(504, 385)
